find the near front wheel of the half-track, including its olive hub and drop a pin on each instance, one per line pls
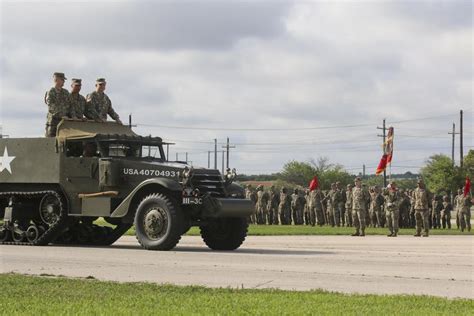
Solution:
(158, 222)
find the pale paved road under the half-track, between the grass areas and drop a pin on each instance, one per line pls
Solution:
(438, 265)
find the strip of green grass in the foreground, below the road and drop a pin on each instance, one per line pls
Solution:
(28, 295)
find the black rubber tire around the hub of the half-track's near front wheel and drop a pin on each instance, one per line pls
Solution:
(175, 222)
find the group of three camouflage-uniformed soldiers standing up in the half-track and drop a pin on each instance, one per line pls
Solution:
(64, 104)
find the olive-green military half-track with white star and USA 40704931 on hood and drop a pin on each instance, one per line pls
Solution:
(94, 181)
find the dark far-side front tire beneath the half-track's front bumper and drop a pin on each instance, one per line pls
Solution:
(235, 232)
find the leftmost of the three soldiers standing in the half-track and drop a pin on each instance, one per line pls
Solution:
(57, 100)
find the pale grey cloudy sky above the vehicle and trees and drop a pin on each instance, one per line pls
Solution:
(283, 79)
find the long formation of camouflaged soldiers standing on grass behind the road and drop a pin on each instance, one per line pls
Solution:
(358, 206)
